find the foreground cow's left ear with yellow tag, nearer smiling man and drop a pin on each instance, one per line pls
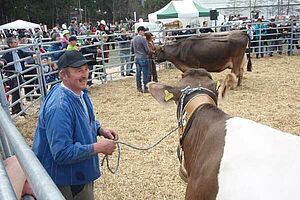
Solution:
(162, 93)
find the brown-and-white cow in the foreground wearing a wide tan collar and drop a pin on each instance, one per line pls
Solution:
(228, 157)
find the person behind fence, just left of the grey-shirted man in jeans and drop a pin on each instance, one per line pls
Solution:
(124, 44)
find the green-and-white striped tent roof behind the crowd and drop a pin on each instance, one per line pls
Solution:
(180, 9)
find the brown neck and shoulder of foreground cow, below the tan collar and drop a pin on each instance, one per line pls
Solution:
(203, 149)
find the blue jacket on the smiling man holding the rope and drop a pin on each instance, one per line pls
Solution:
(64, 136)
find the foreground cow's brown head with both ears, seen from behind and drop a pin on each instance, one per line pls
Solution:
(194, 78)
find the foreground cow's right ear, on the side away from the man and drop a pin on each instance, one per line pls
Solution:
(229, 82)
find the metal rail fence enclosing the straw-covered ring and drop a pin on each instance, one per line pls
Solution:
(27, 88)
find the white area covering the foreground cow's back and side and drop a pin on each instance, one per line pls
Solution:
(259, 163)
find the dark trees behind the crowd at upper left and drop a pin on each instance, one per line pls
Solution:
(61, 11)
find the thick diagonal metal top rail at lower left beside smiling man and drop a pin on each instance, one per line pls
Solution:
(42, 184)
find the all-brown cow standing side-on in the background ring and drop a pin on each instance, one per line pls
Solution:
(214, 52)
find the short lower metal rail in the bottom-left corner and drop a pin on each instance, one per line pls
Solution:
(6, 189)
